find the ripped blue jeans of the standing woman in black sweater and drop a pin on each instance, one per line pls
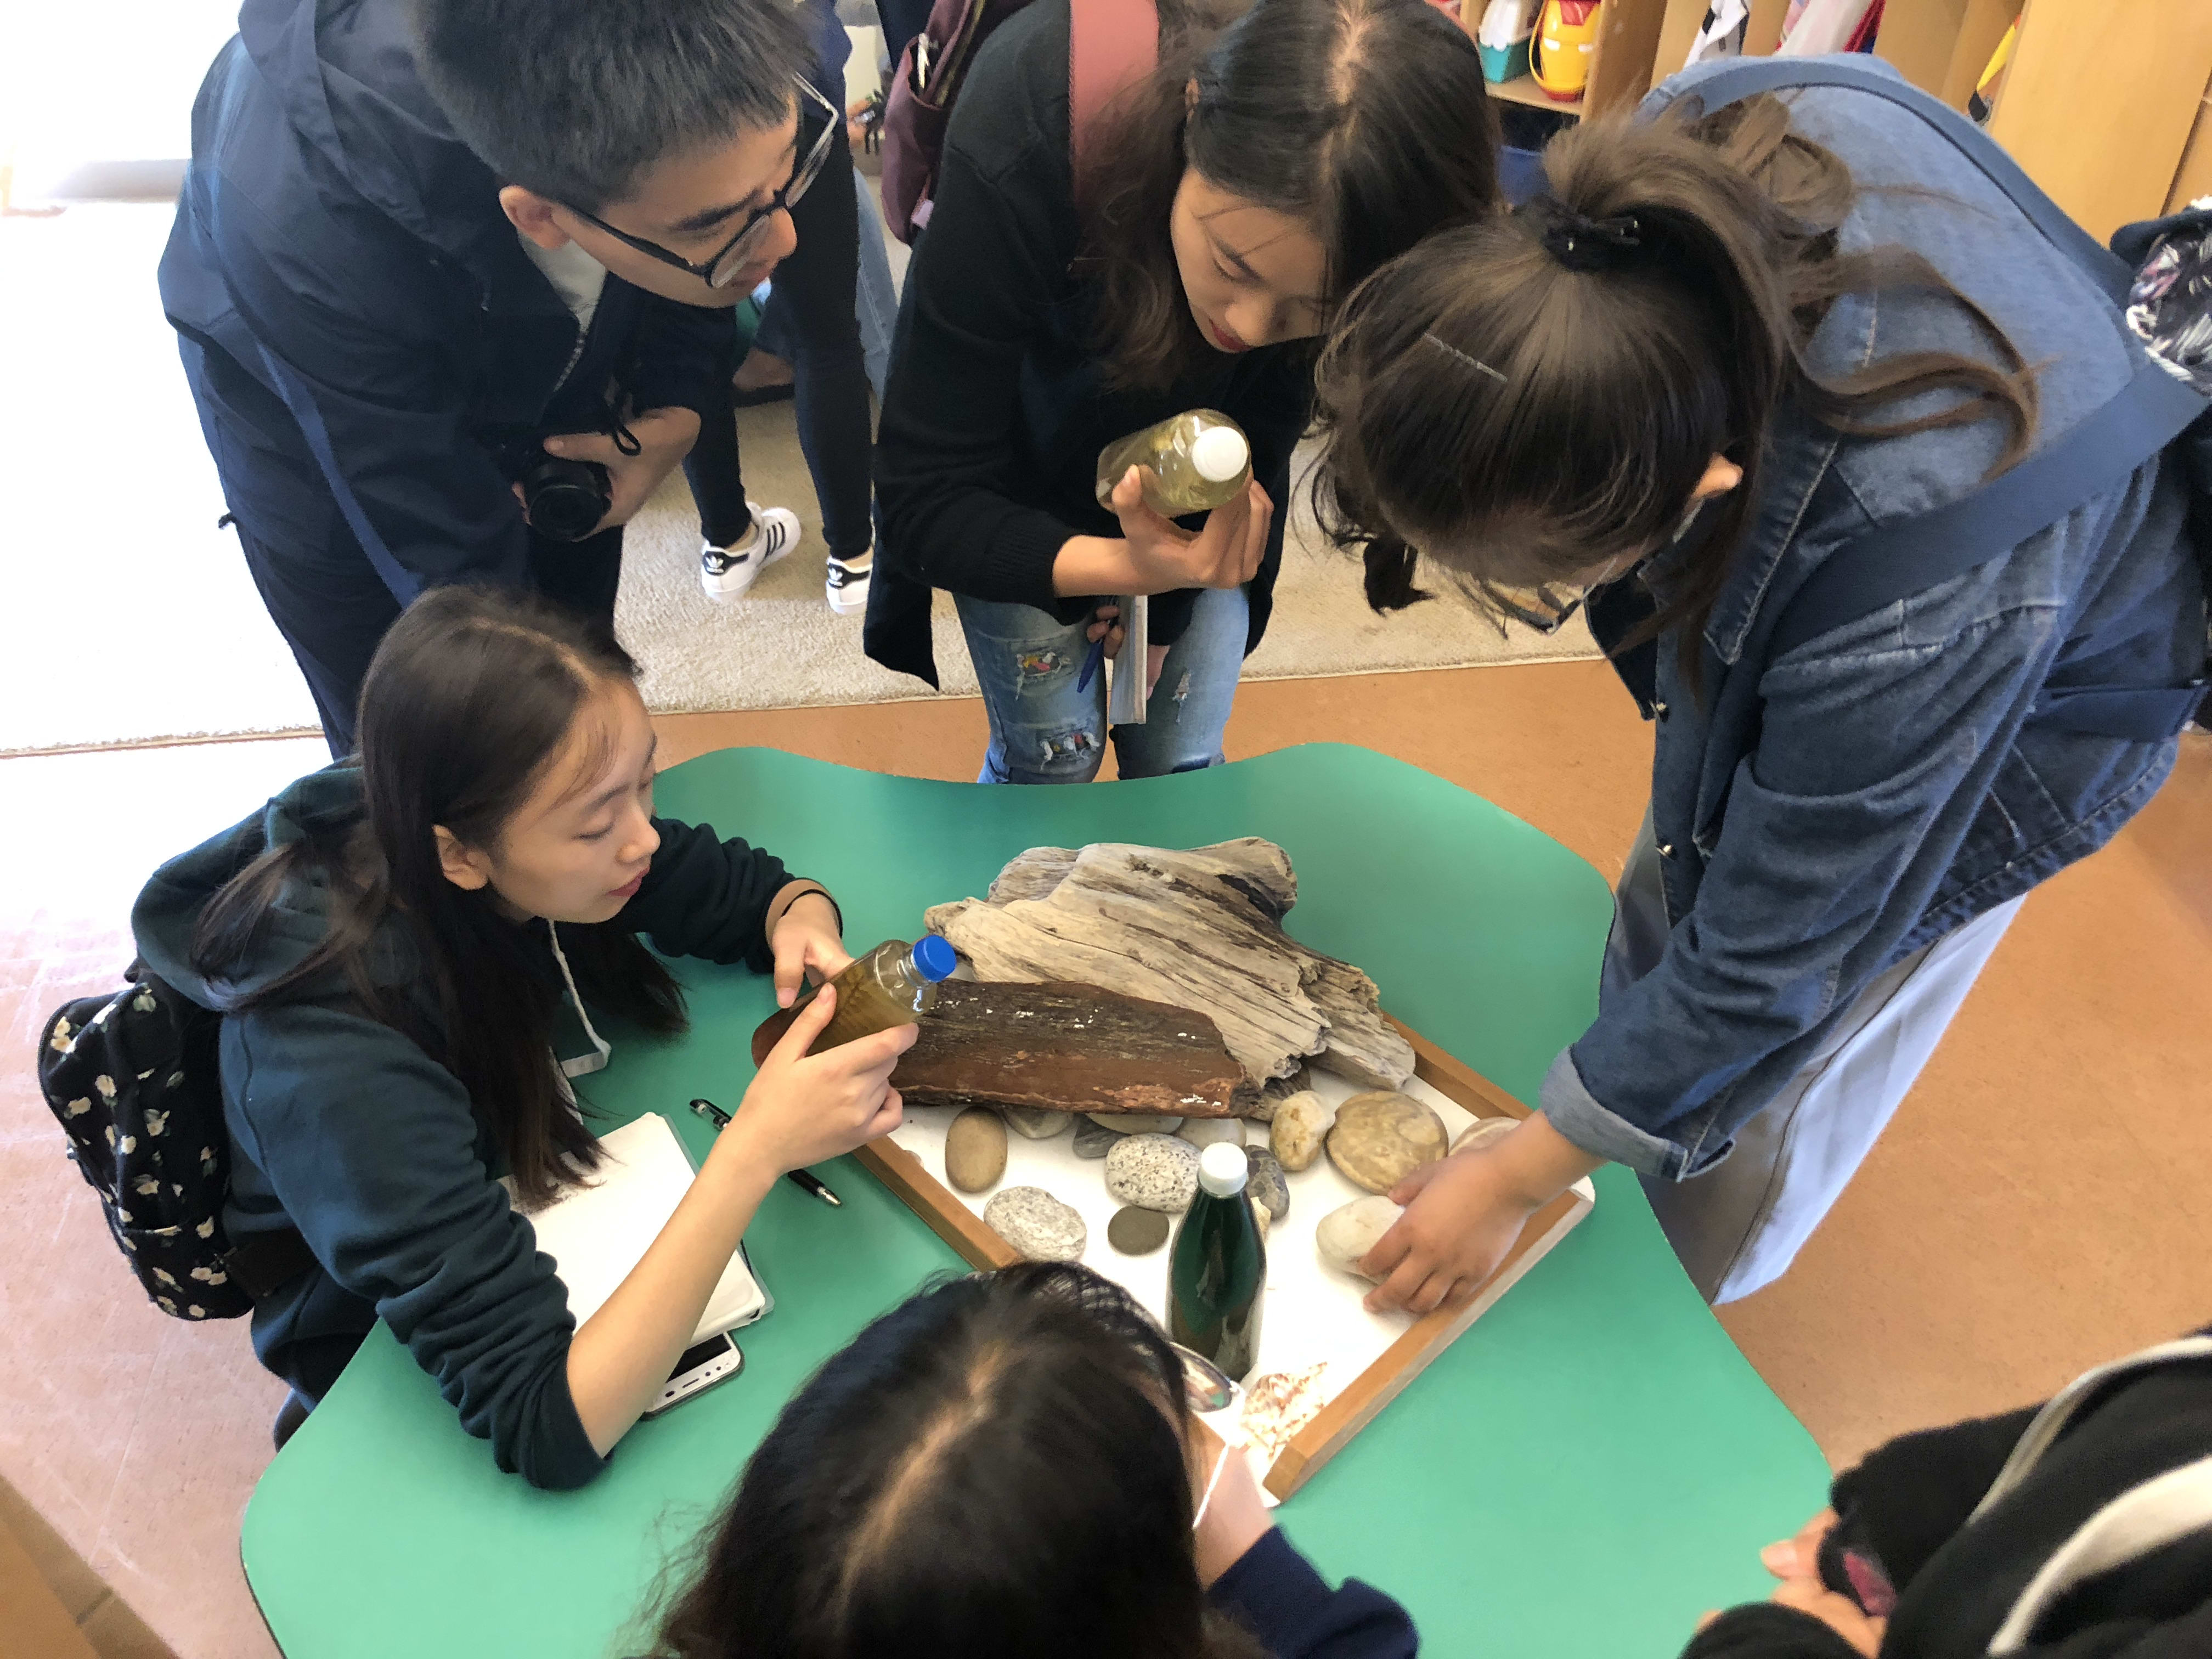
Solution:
(1045, 731)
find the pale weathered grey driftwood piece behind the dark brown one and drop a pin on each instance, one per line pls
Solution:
(1198, 930)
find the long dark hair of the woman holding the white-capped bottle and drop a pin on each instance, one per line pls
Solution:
(1366, 121)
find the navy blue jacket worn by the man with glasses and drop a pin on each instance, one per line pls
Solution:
(359, 315)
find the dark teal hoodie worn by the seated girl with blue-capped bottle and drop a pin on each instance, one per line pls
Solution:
(366, 1145)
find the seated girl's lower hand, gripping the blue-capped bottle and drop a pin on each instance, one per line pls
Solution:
(806, 1109)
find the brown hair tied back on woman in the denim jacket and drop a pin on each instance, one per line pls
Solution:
(1525, 410)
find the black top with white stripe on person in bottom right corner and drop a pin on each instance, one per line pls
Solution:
(1910, 1545)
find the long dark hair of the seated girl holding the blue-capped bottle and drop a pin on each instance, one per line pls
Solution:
(468, 700)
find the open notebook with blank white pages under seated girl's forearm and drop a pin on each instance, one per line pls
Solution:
(598, 1233)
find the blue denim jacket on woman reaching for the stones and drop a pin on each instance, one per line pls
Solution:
(1828, 811)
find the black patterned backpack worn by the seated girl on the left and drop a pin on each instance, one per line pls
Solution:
(136, 1085)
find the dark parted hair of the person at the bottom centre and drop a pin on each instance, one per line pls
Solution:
(990, 1472)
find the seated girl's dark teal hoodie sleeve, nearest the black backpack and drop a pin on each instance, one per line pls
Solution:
(371, 1147)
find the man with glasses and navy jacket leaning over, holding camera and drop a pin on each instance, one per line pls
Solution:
(446, 258)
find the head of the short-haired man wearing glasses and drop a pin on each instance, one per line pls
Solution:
(665, 138)
